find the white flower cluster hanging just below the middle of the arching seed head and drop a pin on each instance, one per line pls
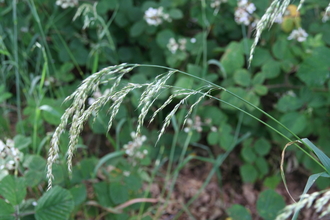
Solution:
(132, 148)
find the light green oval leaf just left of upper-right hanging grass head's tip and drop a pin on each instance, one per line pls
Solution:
(233, 58)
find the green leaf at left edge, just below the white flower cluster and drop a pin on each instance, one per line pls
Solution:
(13, 189)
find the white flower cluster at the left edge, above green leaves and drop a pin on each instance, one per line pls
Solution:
(9, 155)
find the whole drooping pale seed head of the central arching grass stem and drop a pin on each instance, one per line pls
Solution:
(78, 113)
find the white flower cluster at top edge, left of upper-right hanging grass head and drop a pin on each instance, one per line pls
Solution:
(244, 11)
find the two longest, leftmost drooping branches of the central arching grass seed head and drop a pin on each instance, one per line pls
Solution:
(78, 114)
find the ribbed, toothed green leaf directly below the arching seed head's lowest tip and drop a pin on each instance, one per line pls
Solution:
(55, 204)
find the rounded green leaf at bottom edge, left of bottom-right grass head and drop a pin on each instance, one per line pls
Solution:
(269, 204)
